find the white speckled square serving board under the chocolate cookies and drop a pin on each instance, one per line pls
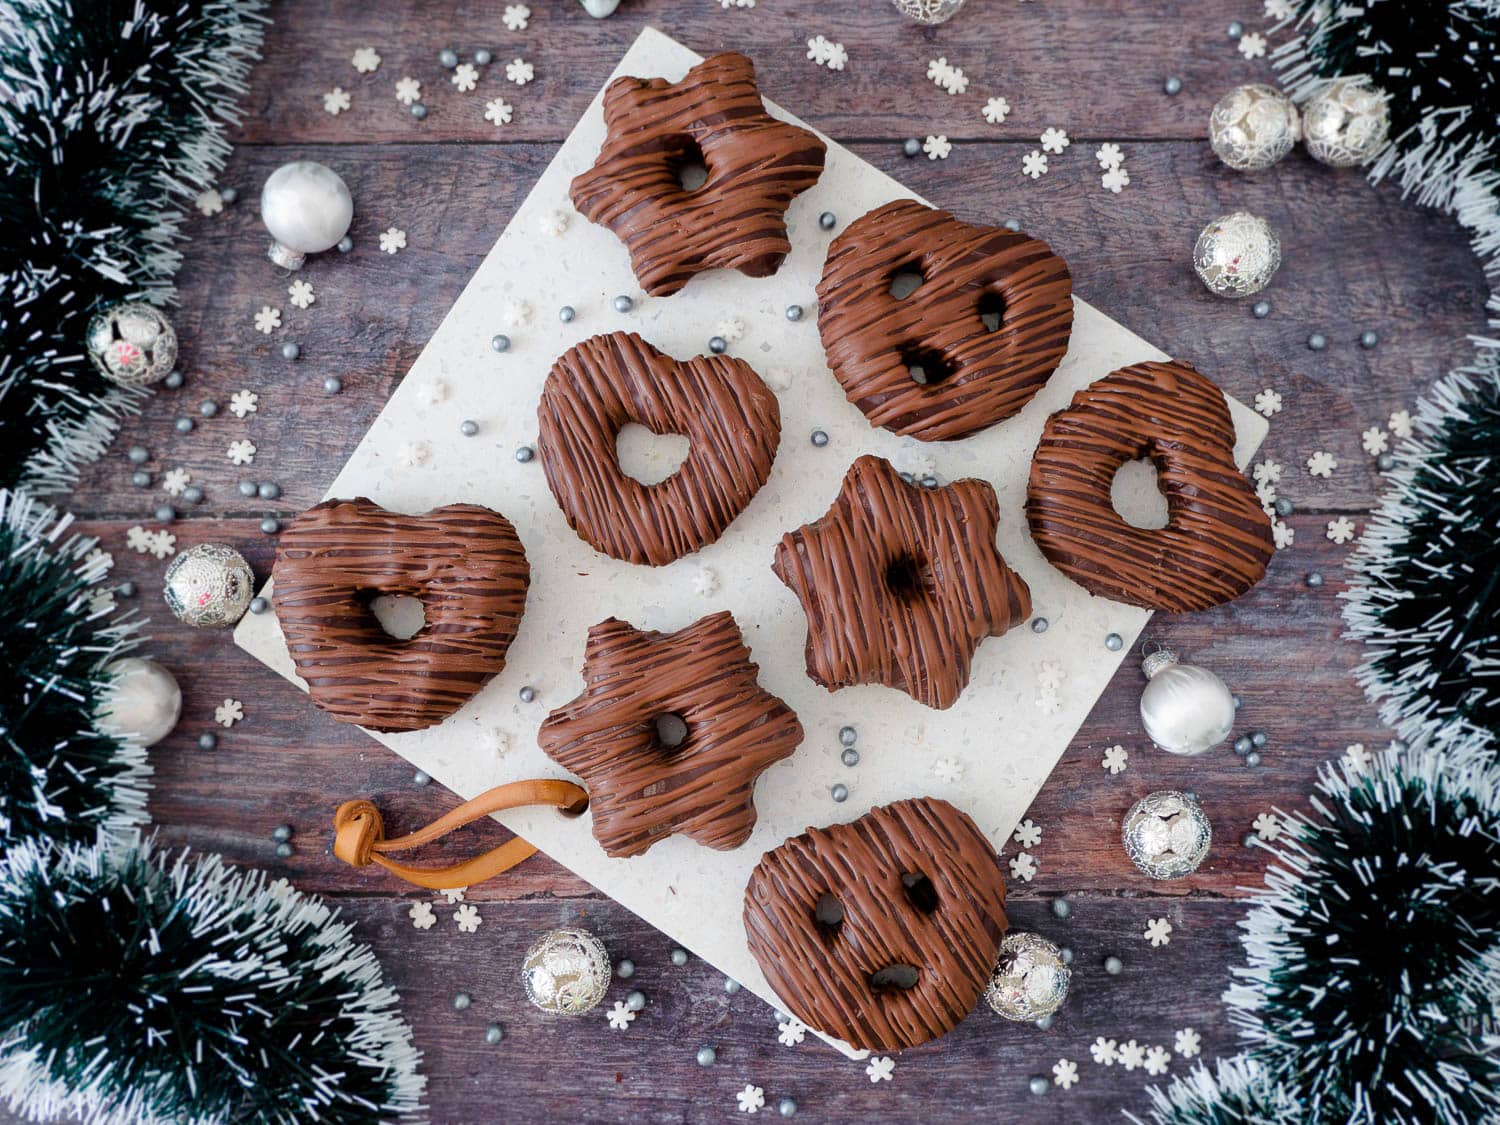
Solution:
(1003, 739)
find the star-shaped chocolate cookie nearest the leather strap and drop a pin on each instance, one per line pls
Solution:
(670, 734)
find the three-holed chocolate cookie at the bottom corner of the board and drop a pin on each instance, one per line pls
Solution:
(883, 932)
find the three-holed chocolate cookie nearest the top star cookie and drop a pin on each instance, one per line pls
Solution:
(970, 347)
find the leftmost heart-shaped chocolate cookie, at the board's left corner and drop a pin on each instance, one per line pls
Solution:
(463, 562)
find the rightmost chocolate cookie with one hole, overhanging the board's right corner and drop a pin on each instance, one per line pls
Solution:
(1217, 541)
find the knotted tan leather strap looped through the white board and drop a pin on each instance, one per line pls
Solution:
(361, 835)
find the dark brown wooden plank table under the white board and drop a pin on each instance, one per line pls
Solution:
(1355, 259)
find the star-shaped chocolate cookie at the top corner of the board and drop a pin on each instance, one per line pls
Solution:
(755, 164)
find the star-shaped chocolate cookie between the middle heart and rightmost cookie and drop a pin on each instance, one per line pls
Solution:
(901, 584)
